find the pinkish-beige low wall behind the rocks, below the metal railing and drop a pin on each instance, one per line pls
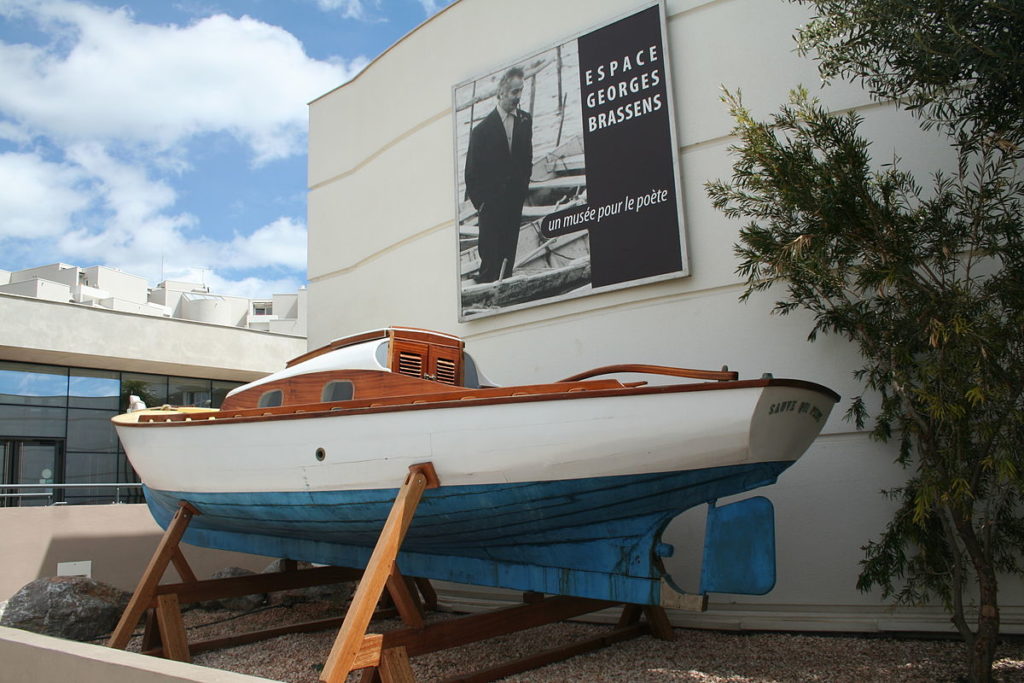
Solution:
(118, 540)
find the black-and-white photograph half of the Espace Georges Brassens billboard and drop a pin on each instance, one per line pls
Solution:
(520, 157)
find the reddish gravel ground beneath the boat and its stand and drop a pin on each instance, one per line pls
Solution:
(706, 657)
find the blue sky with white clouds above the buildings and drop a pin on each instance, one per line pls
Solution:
(168, 138)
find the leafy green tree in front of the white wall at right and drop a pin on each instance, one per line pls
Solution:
(925, 277)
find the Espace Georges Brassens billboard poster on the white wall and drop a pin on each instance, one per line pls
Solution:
(567, 172)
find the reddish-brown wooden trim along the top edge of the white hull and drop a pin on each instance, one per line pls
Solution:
(506, 396)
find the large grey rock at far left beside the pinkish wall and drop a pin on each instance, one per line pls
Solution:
(71, 608)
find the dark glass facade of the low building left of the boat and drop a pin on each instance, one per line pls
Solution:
(56, 429)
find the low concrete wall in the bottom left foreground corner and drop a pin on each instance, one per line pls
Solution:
(28, 657)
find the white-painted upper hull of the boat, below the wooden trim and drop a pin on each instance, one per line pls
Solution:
(535, 441)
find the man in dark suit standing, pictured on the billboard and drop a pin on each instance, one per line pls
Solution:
(498, 166)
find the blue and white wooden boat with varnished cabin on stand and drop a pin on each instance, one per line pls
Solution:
(563, 488)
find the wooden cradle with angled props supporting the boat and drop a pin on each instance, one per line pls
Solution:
(381, 657)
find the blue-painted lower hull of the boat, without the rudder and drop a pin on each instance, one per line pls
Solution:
(591, 538)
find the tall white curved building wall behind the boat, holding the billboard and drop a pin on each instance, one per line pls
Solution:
(382, 251)
